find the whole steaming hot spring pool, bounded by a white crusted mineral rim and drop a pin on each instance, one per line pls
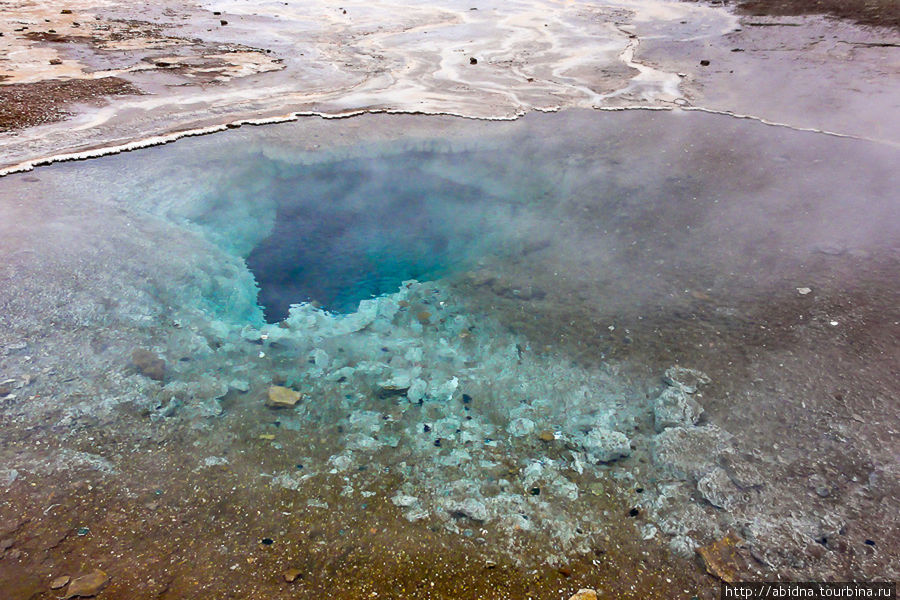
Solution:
(533, 340)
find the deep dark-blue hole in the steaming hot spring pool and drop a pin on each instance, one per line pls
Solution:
(350, 230)
